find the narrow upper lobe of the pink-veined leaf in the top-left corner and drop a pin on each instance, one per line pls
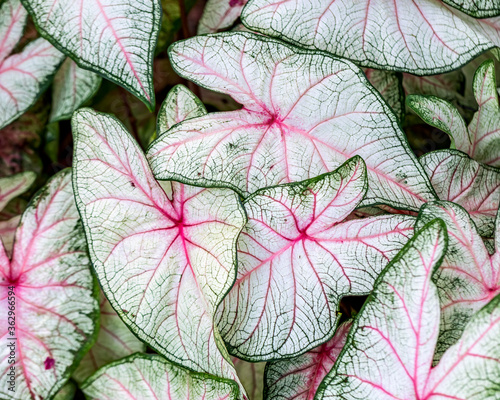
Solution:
(12, 22)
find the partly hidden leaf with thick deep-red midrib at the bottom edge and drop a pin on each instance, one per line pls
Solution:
(299, 378)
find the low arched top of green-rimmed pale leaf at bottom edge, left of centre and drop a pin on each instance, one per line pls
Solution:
(151, 377)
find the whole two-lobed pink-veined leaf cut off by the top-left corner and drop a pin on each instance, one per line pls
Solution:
(23, 76)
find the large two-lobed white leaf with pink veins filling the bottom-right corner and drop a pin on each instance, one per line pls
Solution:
(396, 332)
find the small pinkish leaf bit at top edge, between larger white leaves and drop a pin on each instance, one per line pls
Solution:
(219, 14)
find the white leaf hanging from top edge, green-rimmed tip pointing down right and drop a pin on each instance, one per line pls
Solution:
(114, 39)
